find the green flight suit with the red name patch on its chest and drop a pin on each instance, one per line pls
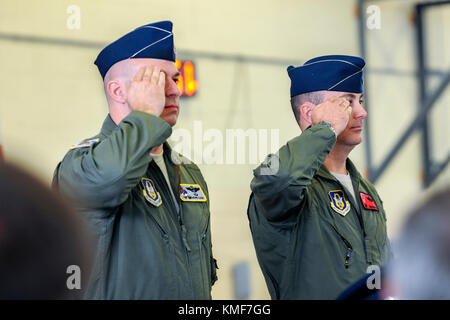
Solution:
(312, 240)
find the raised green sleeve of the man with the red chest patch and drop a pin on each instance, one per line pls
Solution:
(282, 189)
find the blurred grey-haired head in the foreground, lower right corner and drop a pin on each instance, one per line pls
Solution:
(420, 269)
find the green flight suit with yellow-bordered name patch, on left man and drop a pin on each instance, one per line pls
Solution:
(146, 249)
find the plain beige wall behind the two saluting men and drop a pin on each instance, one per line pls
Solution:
(51, 95)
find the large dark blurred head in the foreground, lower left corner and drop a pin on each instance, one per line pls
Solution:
(42, 241)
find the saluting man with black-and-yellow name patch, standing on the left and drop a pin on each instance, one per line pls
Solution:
(149, 206)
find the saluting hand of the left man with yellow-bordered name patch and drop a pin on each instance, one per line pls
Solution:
(147, 90)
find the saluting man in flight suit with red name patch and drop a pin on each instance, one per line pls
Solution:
(317, 225)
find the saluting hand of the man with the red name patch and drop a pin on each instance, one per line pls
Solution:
(335, 111)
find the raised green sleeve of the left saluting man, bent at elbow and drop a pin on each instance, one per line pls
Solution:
(102, 175)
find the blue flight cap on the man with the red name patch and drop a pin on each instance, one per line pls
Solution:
(331, 73)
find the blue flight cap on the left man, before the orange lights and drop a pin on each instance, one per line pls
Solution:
(153, 40)
